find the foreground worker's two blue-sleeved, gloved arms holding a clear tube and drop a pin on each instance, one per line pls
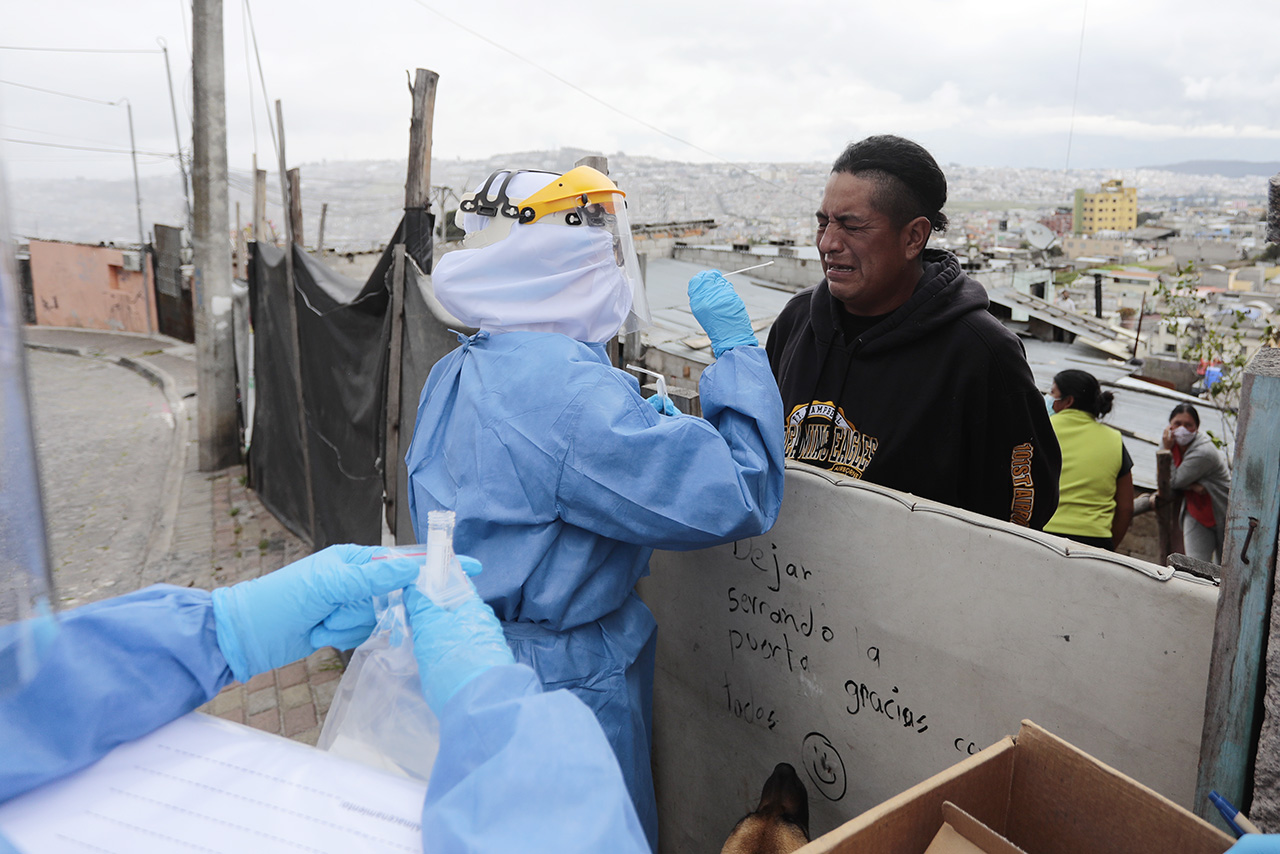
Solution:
(519, 769)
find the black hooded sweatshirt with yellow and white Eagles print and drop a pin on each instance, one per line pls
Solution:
(935, 399)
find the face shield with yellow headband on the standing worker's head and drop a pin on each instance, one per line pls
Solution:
(580, 199)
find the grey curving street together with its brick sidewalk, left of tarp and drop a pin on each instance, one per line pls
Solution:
(127, 505)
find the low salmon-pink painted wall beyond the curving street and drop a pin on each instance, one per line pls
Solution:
(88, 287)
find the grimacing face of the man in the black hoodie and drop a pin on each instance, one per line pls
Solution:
(871, 266)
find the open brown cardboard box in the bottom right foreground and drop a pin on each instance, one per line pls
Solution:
(1043, 796)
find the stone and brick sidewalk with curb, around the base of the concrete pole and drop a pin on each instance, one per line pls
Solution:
(211, 529)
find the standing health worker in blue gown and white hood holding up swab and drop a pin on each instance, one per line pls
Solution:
(563, 476)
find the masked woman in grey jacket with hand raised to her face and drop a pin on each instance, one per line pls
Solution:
(1201, 473)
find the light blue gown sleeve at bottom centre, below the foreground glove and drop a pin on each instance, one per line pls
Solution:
(522, 770)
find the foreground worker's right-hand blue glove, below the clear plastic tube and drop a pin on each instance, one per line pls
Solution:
(454, 647)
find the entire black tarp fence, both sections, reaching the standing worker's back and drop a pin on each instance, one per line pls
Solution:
(345, 354)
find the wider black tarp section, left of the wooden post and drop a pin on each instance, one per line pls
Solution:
(344, 346)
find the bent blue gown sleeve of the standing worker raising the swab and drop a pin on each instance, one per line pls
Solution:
(676, 483)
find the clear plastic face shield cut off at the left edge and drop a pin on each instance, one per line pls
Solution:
(28, 625)
